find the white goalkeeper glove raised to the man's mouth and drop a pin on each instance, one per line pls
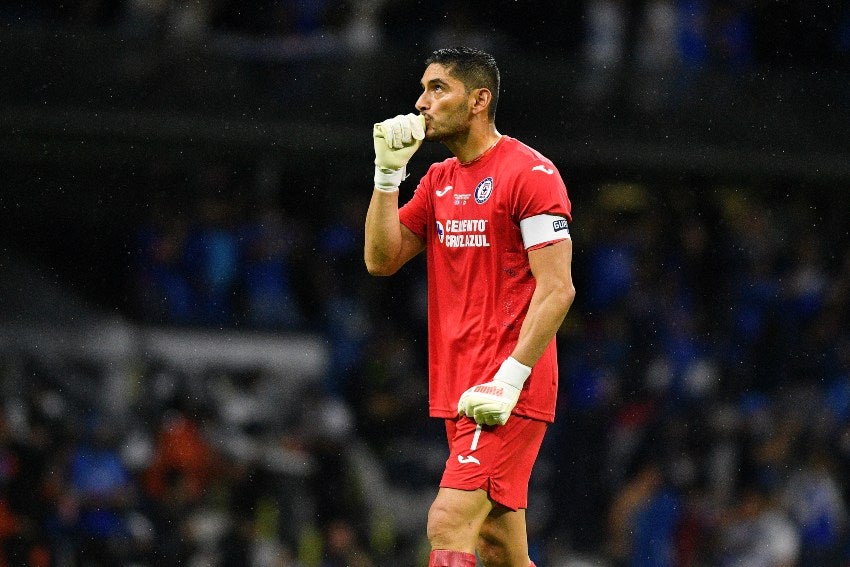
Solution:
(396, 140)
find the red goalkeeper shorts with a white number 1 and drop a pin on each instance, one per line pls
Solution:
(495, 458)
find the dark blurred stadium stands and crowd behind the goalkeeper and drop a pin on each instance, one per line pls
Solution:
(196, 369)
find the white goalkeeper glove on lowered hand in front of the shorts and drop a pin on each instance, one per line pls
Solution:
(491, 403)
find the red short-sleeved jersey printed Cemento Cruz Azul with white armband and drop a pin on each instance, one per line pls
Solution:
(478, 221)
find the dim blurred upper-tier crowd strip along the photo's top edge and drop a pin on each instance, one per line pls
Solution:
(729, 33)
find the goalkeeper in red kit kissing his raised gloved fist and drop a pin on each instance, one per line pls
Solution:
(494, 219)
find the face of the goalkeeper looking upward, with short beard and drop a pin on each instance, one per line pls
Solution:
(445, 103)
